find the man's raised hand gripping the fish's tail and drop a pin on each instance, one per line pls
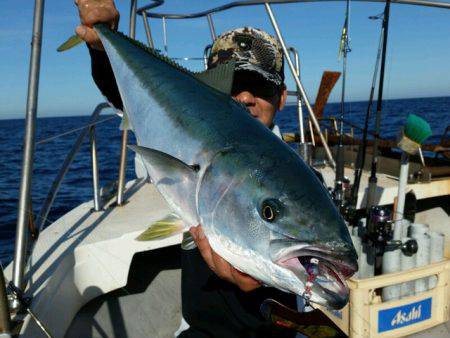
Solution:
(93, 12)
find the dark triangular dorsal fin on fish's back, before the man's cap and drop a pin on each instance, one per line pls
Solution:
(220, 77)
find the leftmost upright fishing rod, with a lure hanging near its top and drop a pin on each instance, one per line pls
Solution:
(344, 49)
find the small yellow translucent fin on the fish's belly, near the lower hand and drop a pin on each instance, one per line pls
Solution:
(168, 226)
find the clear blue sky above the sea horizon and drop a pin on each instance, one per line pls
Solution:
(418, 50)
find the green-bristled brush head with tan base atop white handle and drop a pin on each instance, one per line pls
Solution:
(416, 131)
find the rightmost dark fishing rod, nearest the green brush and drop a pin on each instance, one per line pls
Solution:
(373, 173)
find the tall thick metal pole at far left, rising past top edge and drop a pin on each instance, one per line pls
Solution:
(28, 154)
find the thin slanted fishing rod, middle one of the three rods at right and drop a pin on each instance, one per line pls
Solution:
(361, 156)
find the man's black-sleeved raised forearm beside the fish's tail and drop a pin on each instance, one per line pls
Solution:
(104, 77)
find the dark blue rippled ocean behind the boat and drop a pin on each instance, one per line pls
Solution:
(77, 185)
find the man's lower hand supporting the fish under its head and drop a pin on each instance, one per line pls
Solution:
(220, 266)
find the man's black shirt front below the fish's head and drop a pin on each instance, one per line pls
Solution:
(216, 308)
